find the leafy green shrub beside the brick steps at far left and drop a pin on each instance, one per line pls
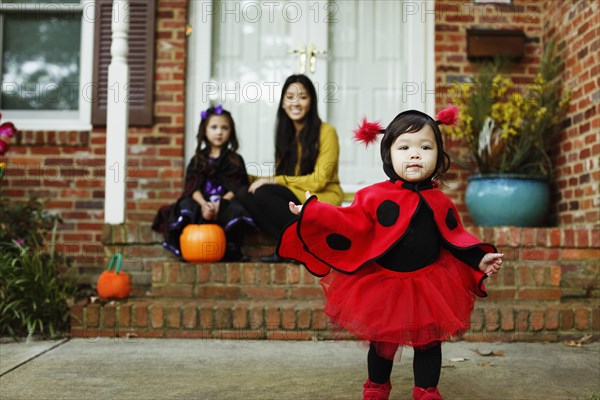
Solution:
(35, 290)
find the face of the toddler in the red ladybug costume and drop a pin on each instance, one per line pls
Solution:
(414, 155)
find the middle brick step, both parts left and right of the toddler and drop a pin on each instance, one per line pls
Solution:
(288, 280)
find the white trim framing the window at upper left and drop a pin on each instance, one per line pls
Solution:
(80, 120)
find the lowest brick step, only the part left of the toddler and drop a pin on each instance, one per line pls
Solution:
(164, 317)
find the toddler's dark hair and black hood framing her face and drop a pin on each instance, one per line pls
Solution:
(409, 122)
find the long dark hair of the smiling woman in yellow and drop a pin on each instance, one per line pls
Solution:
(286, 155)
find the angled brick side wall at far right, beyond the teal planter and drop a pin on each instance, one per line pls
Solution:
(575, 27)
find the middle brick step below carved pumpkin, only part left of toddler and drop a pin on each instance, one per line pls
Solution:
(231, 281)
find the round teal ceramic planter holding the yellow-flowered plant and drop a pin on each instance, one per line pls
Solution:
(507, 200)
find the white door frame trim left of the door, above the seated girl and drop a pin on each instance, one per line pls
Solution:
(198, 69)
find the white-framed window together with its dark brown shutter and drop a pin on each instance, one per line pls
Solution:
(54, 57)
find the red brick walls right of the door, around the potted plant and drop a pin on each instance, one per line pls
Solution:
(574, 24)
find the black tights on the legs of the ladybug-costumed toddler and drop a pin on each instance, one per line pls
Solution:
(427, 365)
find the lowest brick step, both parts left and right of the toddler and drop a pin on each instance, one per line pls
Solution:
(305, 320)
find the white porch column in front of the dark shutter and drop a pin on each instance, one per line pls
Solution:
(117, 117)
